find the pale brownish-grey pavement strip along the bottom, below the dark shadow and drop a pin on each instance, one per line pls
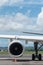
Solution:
(10, 62)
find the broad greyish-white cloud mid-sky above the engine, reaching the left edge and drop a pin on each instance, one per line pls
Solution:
(17, 22)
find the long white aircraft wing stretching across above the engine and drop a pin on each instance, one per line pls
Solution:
(19, 37)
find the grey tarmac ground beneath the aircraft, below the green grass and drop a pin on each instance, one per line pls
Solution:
(24, 60)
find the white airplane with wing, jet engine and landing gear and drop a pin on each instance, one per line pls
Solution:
(16, 48)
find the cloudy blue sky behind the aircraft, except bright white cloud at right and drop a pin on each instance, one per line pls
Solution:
(19, 15)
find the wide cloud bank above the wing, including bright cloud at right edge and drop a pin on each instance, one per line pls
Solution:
(21, 22)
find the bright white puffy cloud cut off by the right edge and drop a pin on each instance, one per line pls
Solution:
(40, 20)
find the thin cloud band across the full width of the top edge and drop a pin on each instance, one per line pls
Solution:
(19, 2)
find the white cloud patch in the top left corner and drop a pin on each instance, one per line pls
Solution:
(10, 2)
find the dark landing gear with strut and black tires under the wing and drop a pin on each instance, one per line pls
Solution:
(36, 55)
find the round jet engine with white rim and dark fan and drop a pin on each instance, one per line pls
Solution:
(15, 48)
